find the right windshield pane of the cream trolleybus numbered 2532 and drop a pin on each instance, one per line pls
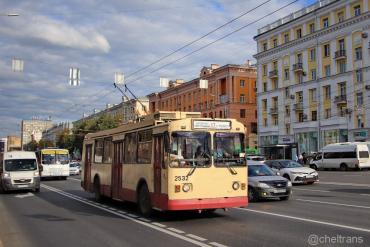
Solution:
(227, 149)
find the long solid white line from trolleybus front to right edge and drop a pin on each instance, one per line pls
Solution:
(307, 220)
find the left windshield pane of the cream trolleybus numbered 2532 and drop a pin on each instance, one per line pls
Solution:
(190, 149)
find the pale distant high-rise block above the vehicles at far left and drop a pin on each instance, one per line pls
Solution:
(32, 130)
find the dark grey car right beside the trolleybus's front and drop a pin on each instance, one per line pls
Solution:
(264, 183)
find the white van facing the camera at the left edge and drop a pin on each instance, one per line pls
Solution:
(18, 171)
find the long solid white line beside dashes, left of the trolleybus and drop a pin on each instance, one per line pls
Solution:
(126, 216)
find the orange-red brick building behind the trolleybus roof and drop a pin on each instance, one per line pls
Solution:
(230, 94)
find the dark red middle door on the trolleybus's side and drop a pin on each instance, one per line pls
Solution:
(117, 170)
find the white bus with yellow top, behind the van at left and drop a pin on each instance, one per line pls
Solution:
(54, 161)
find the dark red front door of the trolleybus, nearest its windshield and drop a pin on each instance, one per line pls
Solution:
(158, 160)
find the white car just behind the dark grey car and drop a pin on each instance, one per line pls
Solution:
(294, 171)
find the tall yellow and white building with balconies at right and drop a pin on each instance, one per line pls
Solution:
(313, 69)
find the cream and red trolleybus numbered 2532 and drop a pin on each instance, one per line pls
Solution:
(169, 161)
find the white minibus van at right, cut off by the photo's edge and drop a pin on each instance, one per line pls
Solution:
(342, 156)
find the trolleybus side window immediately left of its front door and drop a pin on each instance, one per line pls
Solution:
(144, 147)
